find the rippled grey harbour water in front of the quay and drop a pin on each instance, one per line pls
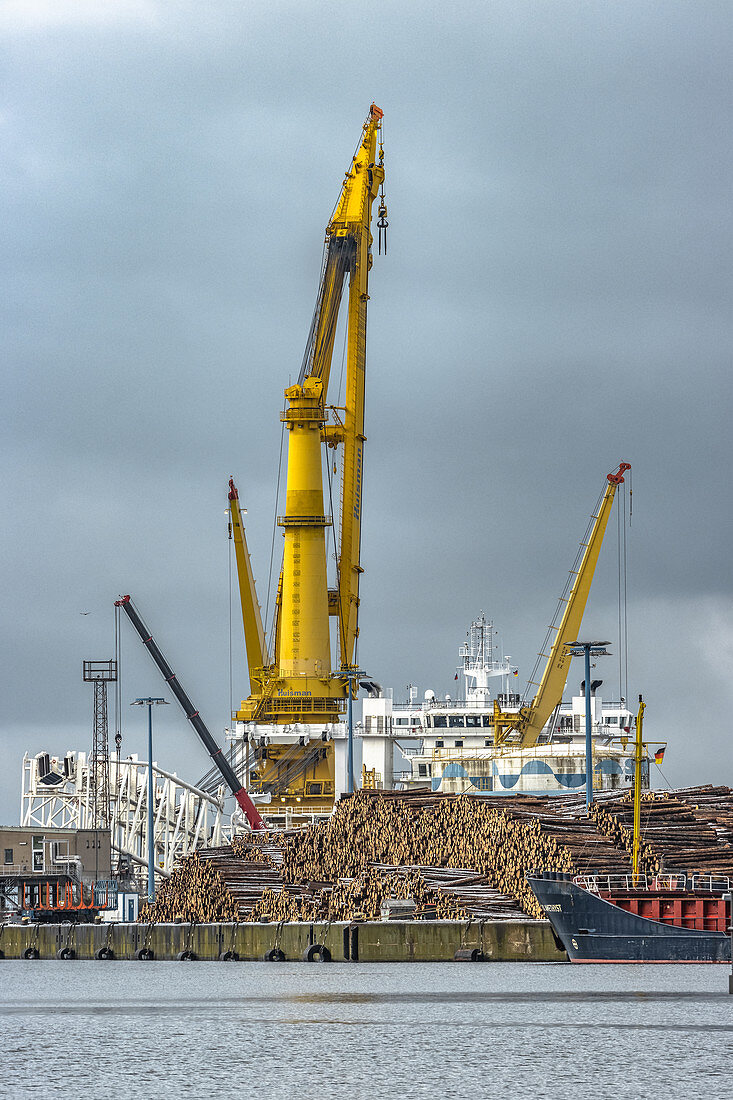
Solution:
(315, 1032)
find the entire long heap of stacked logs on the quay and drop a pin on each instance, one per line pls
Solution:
(457, 856)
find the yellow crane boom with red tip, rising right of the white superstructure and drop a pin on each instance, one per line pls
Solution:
(534, 718)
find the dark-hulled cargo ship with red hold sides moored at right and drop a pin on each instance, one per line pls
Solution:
(637, 919)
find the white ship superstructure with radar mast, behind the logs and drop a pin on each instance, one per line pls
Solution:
(448, 744)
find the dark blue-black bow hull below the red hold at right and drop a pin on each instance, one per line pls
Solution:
(594, 930)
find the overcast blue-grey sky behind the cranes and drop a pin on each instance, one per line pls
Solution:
(555, 300)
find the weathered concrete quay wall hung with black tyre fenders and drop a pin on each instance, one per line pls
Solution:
(371, 942)
